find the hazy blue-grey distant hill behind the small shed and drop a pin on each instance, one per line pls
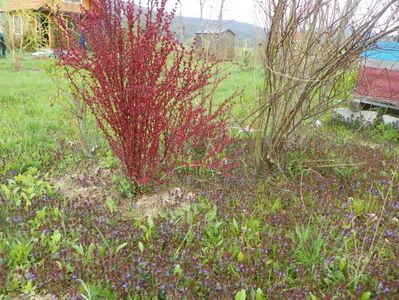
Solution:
(246, 33)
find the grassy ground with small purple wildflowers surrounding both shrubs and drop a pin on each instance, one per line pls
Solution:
(71, 227)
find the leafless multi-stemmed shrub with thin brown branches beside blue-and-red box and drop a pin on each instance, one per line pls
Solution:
(311, 48)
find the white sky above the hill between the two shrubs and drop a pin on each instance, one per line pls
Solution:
(238, 10)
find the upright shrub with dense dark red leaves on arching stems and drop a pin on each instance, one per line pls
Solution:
(149, 94)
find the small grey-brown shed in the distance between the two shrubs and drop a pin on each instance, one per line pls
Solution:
(217, 44)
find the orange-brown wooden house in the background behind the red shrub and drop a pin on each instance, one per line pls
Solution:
(32, 16)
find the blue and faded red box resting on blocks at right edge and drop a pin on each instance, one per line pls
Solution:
(378, 76)
